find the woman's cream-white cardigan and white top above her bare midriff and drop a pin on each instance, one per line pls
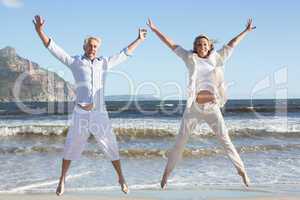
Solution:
(206, 73)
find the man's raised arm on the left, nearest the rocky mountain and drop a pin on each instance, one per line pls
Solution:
(55, 50)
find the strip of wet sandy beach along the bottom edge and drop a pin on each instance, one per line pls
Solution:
(208, 193)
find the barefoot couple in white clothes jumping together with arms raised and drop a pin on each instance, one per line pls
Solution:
(206, 95)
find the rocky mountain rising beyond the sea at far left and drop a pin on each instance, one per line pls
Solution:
(24, 80)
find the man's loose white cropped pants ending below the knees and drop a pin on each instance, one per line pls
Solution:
(83, 124)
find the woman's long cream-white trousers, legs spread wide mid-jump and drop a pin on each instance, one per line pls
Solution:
(211, 114)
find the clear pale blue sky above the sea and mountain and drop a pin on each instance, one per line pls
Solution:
(265, 65)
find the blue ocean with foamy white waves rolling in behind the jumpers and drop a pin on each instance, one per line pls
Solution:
(265, 132)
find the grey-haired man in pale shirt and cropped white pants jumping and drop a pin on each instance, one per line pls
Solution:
(90, 115)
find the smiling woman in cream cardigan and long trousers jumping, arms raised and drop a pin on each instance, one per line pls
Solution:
(206, 94)
